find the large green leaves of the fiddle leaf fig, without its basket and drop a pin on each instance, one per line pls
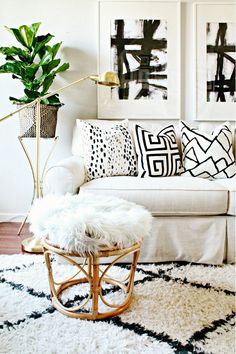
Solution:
(34, 64)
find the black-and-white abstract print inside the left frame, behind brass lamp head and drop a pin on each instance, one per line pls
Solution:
(139, 56)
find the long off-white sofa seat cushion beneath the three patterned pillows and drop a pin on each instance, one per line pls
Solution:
(166, 195)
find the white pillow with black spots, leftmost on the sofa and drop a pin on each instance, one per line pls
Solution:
(108, 152)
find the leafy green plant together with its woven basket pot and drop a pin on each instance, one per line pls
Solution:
(35, 65)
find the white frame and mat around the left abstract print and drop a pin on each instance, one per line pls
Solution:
(109, 104)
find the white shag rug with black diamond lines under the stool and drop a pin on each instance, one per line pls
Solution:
(177, 308)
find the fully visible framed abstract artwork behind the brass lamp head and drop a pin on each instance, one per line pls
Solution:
(140, 41)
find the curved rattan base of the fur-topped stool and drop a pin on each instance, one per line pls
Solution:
(94, 276)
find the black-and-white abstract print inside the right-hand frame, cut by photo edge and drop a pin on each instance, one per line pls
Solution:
(221, 55)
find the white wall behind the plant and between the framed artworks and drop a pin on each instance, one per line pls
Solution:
(75, 23)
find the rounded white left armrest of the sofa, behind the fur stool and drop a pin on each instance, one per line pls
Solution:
(65, 177)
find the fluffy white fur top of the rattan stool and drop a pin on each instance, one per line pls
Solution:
(86, 222)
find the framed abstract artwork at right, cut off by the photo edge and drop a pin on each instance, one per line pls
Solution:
(215, 35)
